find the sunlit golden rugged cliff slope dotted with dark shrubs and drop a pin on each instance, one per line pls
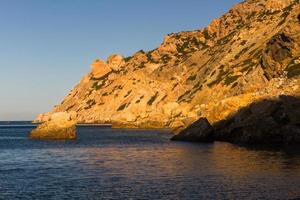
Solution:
(251, 52)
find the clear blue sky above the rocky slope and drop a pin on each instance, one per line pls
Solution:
(46, 46)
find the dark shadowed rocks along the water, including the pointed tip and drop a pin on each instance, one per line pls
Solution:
(268, 121)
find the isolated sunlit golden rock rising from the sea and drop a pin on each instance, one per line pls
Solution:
(60, 126)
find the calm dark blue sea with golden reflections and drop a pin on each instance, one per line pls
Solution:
(141, 164)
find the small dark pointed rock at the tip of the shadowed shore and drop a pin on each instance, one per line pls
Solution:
(199, 131)
